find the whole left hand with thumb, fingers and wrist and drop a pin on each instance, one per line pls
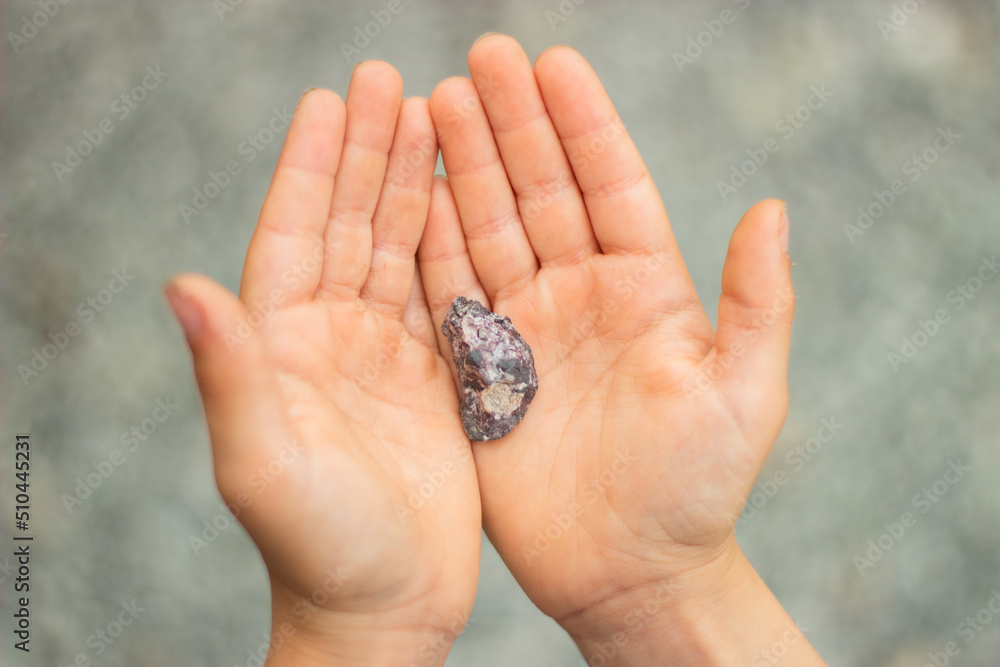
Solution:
(333, 416)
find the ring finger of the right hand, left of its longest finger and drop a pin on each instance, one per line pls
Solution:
(497, 242)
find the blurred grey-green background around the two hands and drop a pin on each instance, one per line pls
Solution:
(893, 75)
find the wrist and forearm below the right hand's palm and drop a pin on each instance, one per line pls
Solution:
(722, 614)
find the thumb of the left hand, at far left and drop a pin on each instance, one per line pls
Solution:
(238, 383)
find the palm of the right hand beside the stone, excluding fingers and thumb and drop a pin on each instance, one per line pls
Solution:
(605, 443)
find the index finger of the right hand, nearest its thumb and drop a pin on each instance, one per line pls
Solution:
(624, 205)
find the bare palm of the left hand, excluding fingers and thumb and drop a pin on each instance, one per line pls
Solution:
(374, 409)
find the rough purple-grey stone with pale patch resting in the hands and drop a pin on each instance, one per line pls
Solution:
(496, 372)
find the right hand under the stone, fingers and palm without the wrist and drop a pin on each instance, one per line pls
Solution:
(619, 475)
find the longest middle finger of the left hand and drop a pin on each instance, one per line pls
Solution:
(373, 101)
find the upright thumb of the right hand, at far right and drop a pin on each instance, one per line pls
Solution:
(755, 319)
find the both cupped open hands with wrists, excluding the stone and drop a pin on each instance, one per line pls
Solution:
(613, 502)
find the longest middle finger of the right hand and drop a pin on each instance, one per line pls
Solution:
(548, 199)
